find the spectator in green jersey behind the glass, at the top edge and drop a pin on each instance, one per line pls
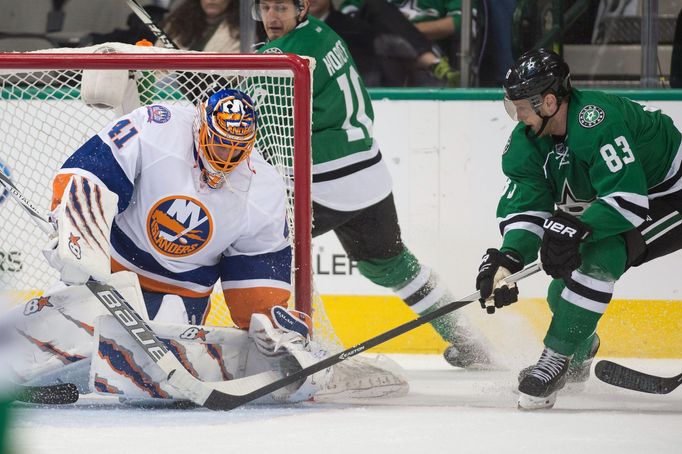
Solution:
(438, 20)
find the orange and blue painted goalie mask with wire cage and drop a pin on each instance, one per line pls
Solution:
(224, 132)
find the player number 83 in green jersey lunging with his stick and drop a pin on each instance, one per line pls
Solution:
(594, 184)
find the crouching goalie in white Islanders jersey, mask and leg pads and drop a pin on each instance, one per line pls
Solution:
(163, 204)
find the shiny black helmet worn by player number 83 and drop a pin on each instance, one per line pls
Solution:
(536, 73)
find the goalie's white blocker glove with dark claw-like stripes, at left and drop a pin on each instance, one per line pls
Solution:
(80, 249)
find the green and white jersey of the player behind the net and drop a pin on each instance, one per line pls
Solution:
(348, 171)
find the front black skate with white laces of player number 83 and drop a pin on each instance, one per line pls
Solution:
(538, 389)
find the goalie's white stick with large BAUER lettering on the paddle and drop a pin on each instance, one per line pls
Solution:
(208, 394)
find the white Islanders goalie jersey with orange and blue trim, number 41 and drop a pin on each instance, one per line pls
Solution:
(178, 235)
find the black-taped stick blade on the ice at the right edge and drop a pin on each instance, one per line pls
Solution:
(624, 377)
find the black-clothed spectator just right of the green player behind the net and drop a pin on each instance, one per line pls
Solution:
(388, 49)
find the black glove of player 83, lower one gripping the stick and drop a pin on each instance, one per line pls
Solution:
(496, 266)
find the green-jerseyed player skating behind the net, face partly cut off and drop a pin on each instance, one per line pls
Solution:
(352, 188)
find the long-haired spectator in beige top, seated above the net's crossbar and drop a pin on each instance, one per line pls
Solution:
(208, 25)
